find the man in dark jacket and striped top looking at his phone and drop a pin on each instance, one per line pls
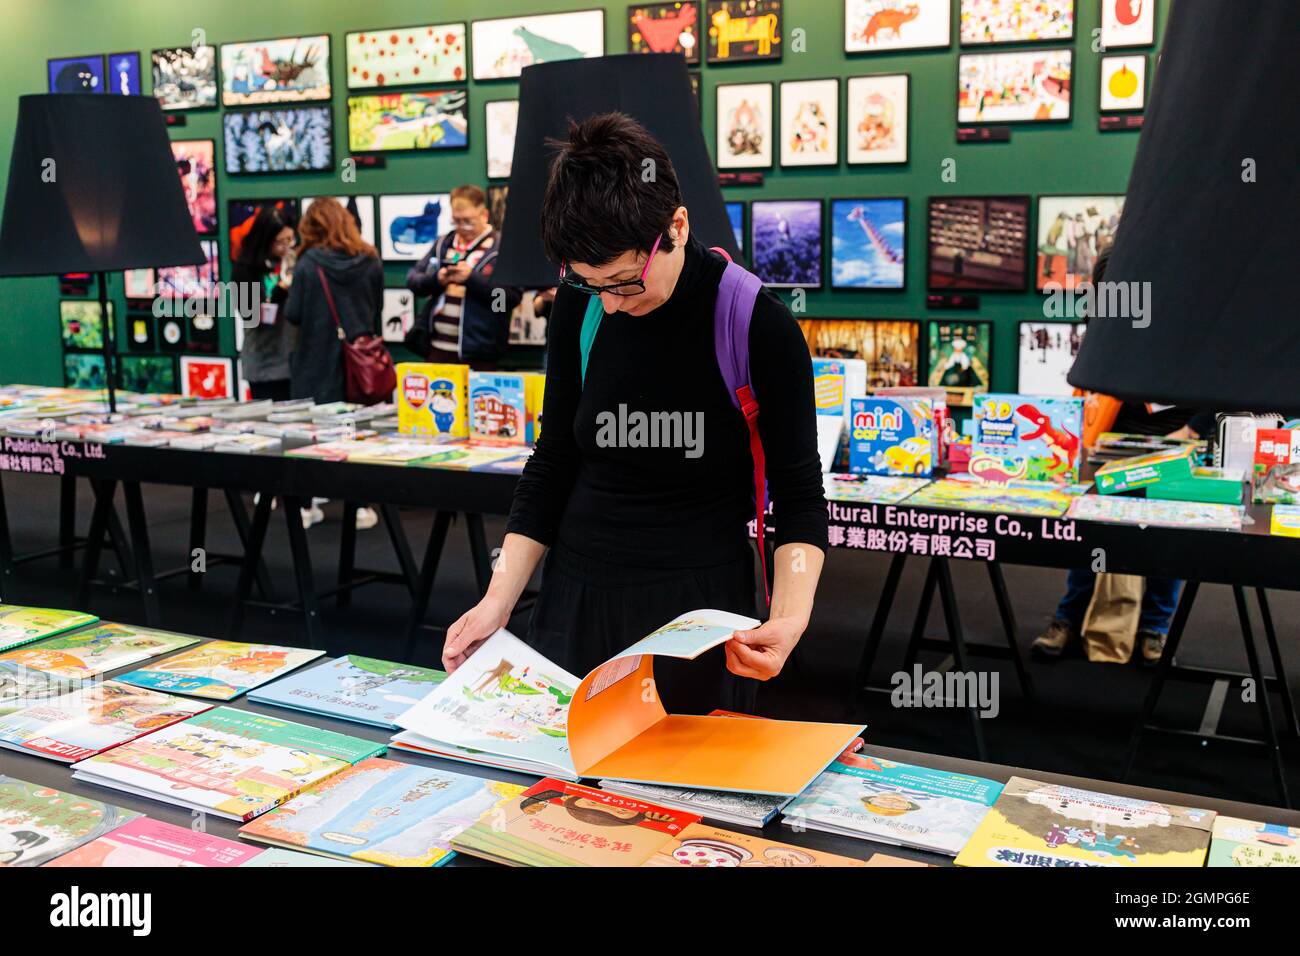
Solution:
(467, 318)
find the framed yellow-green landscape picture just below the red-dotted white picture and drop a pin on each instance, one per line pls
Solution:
(409, 120)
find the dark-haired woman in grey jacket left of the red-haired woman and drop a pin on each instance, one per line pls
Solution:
(268, 341)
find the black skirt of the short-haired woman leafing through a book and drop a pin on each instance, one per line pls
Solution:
(590, 611)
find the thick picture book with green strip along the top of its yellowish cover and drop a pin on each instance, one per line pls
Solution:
(231, 763)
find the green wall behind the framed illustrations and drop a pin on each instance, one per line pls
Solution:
(1063, 158)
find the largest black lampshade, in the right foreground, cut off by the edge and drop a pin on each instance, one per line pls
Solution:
(1211, 222)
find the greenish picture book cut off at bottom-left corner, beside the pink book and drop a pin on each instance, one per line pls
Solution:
(40, 824)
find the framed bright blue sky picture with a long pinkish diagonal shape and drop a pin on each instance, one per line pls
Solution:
(869, 244)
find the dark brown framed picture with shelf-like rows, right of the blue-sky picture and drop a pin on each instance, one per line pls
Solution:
(978, 244)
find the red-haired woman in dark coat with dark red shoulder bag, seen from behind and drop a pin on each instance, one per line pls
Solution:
(336, 302)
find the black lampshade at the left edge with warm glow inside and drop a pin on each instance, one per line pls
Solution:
(93, 188)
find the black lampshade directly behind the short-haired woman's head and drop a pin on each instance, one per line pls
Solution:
(655, 89)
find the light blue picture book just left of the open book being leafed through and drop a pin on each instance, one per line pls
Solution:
(354, 689)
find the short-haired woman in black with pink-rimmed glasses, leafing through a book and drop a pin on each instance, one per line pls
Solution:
(643, 530)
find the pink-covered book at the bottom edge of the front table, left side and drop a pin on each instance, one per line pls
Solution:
(146, 842)
